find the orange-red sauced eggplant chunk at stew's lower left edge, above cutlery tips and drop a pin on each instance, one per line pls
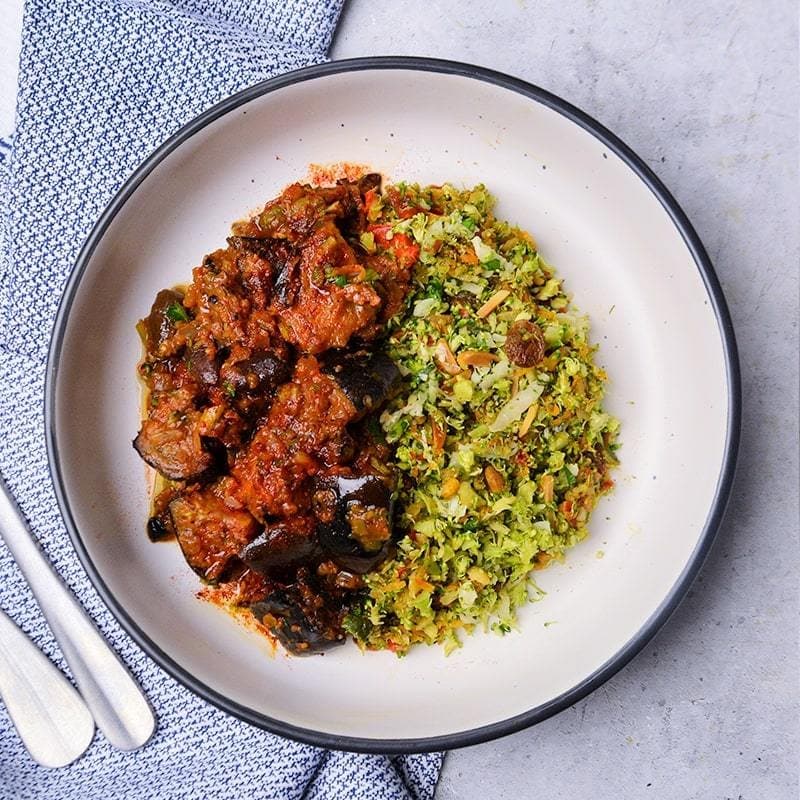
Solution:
(209, 532)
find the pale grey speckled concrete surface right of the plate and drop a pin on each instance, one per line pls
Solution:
(706, 93)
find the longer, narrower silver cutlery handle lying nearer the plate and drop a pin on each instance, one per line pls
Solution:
(118, 705)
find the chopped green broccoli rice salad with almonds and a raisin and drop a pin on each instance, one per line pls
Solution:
(498, 432)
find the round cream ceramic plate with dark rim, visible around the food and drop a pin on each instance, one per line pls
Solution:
(626, 252)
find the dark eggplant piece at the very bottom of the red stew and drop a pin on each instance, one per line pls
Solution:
(285, 614)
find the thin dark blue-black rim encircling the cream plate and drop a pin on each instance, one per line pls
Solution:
(724, 484)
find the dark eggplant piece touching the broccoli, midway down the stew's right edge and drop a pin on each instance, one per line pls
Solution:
(366, 378)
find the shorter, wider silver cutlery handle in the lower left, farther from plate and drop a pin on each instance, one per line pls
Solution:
(49, 715)
